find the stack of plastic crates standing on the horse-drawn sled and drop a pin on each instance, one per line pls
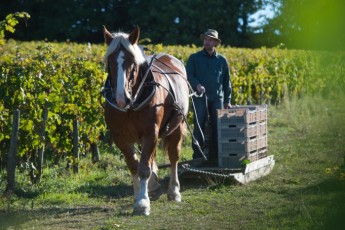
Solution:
(242, 135)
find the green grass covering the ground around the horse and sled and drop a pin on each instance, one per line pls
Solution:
(306, 189)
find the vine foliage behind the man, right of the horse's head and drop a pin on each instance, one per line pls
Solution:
(268, 75)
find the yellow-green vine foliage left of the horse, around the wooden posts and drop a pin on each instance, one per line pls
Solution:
(64, 79)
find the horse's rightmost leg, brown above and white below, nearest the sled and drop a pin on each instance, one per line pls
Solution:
(172, 144)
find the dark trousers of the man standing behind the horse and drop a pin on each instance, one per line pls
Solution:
(206, 110)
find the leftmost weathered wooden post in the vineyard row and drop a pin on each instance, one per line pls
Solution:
(11, 164)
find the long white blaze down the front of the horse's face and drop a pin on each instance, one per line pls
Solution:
(120, 86)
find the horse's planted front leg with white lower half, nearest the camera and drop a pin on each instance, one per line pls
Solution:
(142, 203)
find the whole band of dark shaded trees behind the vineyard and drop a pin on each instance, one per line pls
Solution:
(162, 21)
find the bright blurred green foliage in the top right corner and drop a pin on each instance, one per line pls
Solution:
(309, 24)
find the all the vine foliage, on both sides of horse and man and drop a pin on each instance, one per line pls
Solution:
(66, 79)
